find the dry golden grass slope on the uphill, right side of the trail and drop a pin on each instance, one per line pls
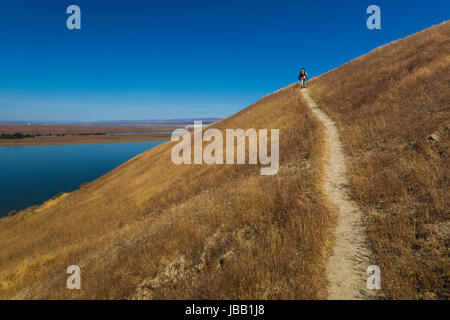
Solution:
(392, 108)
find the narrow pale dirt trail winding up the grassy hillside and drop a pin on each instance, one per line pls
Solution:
(351, 255)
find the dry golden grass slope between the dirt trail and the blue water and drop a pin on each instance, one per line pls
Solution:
(151, 229)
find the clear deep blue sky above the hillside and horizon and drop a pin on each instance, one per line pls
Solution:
(144, 59)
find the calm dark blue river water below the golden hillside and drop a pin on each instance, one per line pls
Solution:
(30, 175)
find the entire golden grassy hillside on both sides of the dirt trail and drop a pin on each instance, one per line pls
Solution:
(150, 229)
